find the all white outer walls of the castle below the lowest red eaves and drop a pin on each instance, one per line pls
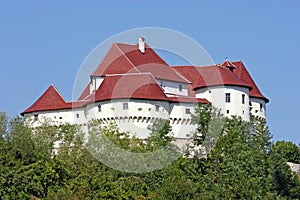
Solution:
(142, 113)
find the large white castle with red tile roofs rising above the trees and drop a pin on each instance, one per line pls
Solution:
(133, 86)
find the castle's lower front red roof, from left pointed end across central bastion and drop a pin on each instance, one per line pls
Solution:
(128, 86)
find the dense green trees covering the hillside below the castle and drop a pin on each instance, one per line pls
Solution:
(227, 158)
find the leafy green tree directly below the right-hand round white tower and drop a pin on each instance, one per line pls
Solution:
(235, 169)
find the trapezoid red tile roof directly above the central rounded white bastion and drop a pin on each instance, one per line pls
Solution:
(131, 86)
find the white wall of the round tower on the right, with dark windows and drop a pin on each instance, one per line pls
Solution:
(216, 95)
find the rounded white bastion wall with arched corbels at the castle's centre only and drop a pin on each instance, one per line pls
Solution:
(136, 119)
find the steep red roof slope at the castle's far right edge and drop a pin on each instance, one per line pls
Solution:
(242, 73)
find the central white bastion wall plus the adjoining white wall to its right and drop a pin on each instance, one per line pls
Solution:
(142, 113)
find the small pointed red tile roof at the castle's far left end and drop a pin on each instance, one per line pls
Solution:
(50, 100)
